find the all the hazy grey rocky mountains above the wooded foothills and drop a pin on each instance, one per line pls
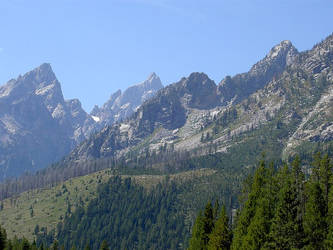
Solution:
(288, 92)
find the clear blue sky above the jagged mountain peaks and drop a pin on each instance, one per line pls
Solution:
(97, 47)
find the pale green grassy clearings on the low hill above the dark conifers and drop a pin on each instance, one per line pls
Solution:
(46, 207)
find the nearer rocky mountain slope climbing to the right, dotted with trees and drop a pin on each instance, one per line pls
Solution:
(270, 100)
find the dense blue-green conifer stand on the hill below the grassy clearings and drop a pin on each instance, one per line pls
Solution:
(128, 217)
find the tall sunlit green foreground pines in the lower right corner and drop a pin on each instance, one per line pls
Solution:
(280, 209)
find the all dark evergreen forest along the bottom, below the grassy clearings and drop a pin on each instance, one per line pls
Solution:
(284, 206)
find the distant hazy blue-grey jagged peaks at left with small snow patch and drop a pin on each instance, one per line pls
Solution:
(38, 126)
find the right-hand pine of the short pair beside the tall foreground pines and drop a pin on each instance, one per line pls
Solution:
(221, 236)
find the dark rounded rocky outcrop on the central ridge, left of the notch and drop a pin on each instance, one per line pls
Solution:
(166, 111)
